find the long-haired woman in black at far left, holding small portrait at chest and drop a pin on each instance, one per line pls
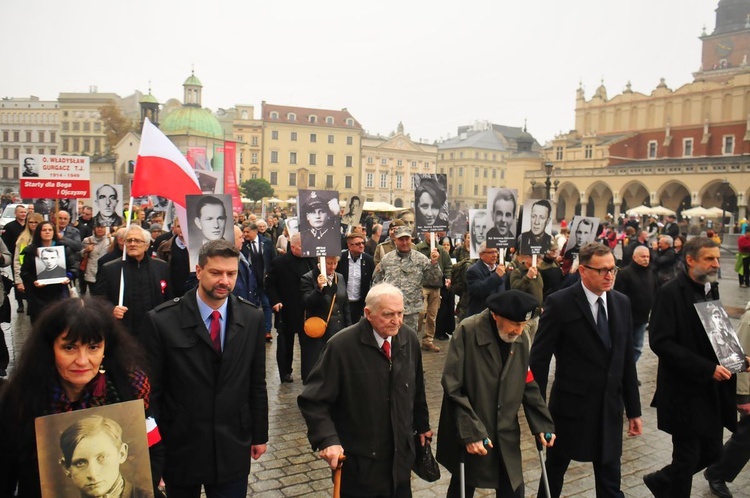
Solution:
(41, 295)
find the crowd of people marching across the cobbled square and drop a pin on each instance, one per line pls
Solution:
(191, 342)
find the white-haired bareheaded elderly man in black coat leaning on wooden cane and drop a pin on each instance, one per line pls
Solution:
(365, 398)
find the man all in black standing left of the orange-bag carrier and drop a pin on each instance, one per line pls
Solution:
(283, 287)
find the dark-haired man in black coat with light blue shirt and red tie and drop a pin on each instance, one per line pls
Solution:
(207, 358)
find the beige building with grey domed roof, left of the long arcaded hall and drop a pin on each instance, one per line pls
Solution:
(484, 156)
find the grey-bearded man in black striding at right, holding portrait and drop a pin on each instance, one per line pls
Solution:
(695, 395)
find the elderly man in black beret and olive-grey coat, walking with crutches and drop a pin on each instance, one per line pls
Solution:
(485, 381)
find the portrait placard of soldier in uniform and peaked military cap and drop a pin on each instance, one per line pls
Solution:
(320, 223)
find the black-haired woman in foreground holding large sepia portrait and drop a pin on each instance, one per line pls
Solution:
(63, 367)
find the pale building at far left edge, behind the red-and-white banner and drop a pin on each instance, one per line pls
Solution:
(27, 126)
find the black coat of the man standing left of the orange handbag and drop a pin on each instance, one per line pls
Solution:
(282, 285)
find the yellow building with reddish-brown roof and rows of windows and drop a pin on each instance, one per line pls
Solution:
(305, 148)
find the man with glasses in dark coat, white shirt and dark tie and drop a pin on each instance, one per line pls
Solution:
(587, 327)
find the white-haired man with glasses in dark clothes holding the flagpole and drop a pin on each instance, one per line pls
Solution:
(146, 281)
